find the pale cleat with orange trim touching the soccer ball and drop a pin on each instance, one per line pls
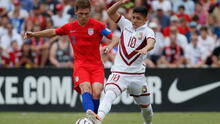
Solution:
(93, 117)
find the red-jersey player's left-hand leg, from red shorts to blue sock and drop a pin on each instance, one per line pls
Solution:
(83, 86)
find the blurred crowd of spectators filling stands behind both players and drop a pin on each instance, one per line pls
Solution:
(187, 32)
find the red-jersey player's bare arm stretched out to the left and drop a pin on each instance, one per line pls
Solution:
(44, 33)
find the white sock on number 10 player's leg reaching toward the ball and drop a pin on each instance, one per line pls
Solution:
(106, 103)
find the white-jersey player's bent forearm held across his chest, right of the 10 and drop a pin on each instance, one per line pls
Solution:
(148, 47)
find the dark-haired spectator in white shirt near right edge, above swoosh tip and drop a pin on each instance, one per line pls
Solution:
(206, 40)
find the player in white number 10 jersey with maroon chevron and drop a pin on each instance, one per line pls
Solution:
(128, 69)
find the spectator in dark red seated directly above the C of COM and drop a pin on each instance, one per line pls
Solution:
(27, 56)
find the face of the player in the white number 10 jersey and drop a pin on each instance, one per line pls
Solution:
(138, 20)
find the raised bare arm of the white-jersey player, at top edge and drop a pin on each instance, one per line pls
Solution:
(112, 11)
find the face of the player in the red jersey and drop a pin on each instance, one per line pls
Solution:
(83, 15)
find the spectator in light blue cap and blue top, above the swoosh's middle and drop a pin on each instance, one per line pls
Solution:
(192, 30)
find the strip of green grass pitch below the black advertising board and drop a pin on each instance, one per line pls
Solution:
(112, 118)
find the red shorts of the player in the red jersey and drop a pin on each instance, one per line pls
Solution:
(87, 74)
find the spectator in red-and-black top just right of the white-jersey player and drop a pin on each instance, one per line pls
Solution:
(172, 55)
